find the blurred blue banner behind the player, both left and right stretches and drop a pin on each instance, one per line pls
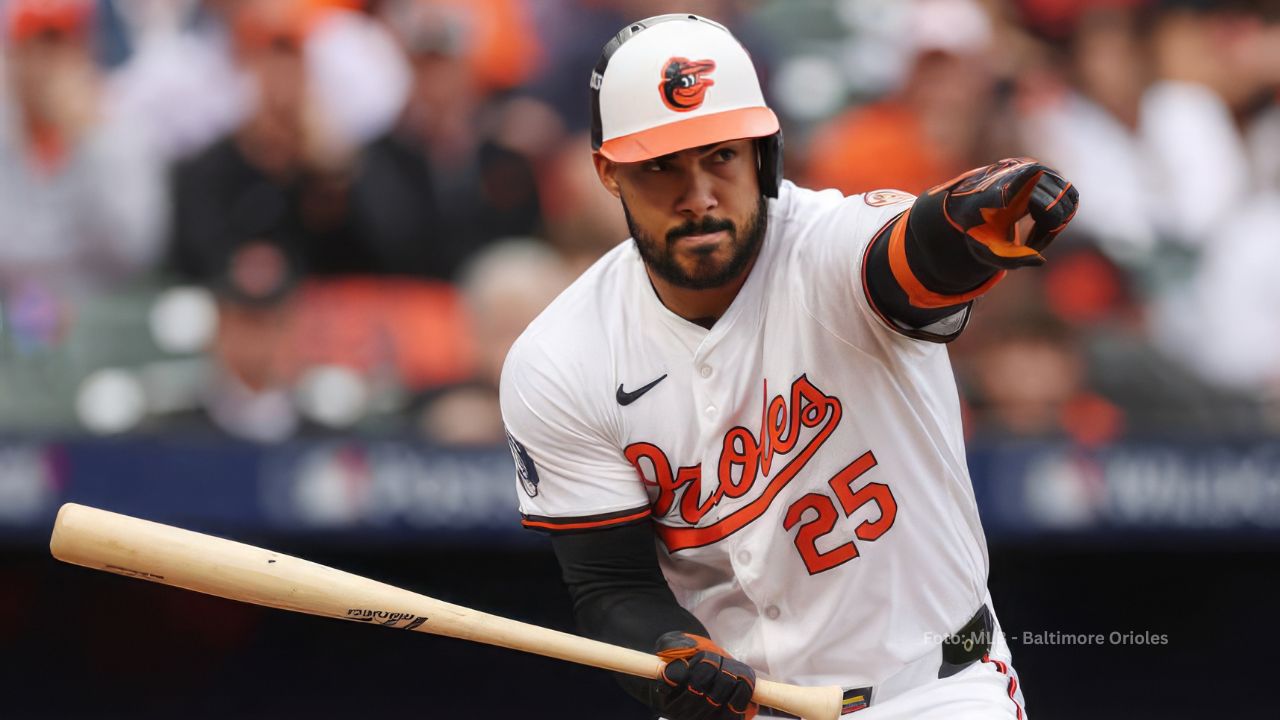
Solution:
(388, 491)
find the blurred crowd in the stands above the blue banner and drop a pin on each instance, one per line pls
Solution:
(271, 218)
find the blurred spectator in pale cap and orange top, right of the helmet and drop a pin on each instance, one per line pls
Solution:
(930, 130)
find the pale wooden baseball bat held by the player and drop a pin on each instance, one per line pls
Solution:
(163, 554)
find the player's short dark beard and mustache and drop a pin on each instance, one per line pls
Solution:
(660, 257)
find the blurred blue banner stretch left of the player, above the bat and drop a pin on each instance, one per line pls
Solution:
(360, 490)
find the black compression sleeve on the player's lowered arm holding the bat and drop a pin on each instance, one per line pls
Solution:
(620, 595)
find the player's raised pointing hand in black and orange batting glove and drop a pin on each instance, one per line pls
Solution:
(986, 206)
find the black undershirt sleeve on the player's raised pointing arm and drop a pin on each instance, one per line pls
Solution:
(938, 256)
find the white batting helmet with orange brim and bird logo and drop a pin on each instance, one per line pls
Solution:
(679, 81)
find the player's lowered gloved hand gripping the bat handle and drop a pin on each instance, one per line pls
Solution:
(702, 682)
